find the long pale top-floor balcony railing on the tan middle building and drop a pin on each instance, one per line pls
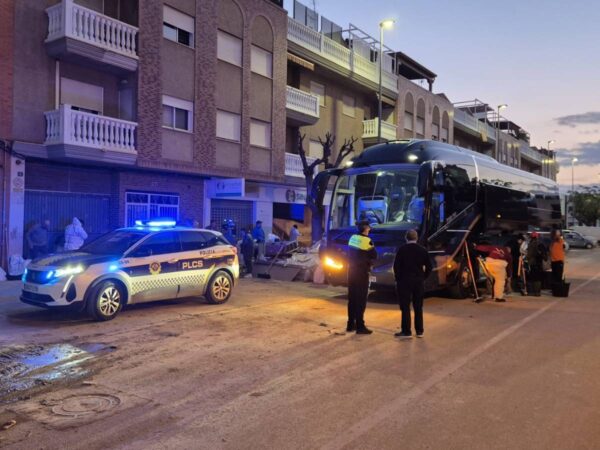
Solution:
(338, 54)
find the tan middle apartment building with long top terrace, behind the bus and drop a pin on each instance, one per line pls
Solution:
(333, 87)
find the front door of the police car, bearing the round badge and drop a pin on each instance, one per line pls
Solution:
(153, 268)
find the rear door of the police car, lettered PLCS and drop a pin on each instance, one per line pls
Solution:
(193, 272)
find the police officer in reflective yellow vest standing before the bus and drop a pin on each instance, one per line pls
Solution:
(361, 255)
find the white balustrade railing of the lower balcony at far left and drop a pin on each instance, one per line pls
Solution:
(68, 126)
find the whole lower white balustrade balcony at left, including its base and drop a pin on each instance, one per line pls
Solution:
(76, 135)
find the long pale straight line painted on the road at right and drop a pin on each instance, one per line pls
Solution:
(396, 407)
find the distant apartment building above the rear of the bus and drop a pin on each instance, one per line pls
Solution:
(481, 128)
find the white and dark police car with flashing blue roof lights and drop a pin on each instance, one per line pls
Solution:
(154, 260)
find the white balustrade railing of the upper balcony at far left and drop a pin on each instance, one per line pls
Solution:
(67, 19)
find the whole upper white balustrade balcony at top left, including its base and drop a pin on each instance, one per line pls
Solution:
(84, 36)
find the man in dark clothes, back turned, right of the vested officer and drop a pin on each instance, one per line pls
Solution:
(411, 267)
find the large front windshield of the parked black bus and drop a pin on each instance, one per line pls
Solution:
(383, 197)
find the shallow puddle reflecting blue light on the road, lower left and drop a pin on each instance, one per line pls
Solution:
(25, 367)
